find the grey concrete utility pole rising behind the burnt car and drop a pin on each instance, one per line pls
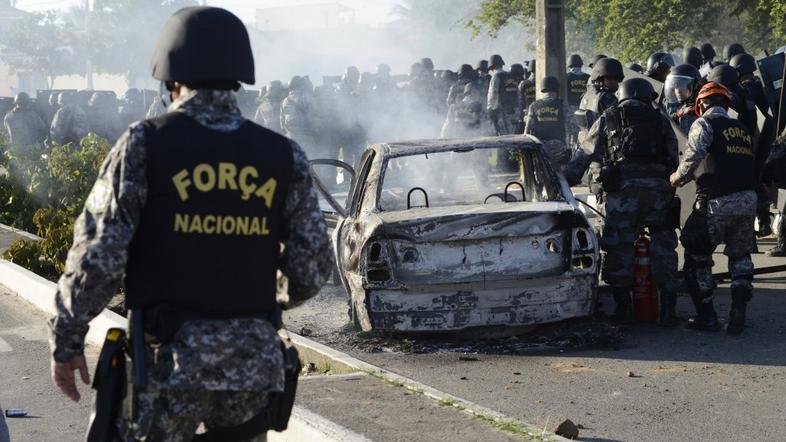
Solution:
(550, 19)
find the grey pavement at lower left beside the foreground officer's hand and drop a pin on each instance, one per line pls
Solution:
(25, 381)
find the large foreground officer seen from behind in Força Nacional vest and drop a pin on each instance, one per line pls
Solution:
(190, 211)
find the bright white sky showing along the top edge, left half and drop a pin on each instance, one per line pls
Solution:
(368, 11)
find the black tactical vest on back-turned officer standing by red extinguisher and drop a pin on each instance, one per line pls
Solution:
(635, 135)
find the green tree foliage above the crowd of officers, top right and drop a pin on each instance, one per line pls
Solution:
(633, 29)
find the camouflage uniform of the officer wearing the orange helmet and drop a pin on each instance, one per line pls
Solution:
(729, 218)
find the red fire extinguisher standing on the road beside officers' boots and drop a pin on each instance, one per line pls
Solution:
(645, 294)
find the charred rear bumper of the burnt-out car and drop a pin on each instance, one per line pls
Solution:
(527, 302)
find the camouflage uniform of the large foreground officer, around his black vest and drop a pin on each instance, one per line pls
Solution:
(213, 371)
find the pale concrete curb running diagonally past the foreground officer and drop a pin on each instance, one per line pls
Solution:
(304, 425)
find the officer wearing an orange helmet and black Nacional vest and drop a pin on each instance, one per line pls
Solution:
(720, 157)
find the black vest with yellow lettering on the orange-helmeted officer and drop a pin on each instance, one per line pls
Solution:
(730, 164)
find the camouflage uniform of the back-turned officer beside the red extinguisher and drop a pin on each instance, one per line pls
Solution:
(639, 202)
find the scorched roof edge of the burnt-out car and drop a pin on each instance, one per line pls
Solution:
(406, 148)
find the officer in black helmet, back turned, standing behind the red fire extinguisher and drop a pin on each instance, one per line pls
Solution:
(638, 150)
